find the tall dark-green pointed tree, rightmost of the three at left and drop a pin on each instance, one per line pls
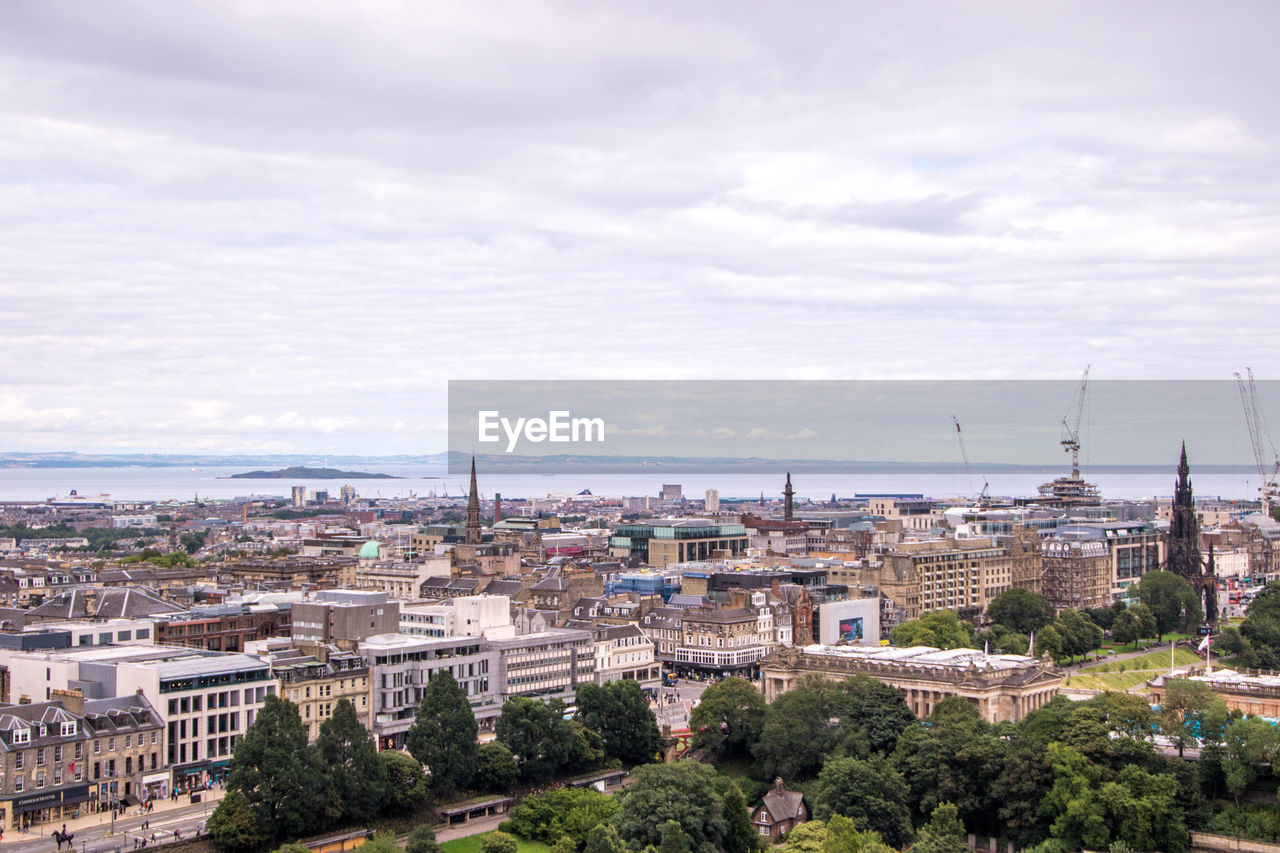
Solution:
(444, 736)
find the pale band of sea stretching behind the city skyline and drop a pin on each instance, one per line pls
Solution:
(424, 481)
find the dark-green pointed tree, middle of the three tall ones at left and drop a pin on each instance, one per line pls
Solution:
(358, 777)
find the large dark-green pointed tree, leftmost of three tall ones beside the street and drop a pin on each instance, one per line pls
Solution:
(281, 777)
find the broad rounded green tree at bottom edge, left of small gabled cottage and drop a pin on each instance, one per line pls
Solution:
(682, 792)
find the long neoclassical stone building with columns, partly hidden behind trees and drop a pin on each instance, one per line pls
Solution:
(1003, 687)
